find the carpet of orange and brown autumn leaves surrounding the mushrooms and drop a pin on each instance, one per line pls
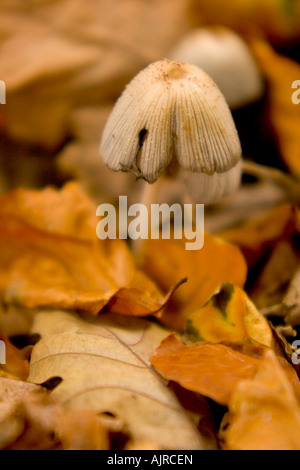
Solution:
(141, 351)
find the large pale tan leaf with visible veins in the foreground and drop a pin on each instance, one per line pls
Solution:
(104, 364)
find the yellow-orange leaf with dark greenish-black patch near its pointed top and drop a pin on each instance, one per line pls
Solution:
(229, 316)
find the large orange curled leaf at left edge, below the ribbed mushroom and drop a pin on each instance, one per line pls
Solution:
(50, 256)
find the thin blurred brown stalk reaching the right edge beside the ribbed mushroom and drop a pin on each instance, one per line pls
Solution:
(284, 181)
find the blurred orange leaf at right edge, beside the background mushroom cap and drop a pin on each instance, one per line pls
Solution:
(280, 73)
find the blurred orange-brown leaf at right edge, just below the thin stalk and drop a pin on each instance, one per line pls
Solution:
(270, 247)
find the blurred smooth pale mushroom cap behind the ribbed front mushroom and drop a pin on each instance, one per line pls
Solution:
(227, 59)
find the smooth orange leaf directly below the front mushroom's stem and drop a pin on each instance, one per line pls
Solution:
(166, 261)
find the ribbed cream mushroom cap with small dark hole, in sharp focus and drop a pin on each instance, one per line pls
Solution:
(172, 116)
